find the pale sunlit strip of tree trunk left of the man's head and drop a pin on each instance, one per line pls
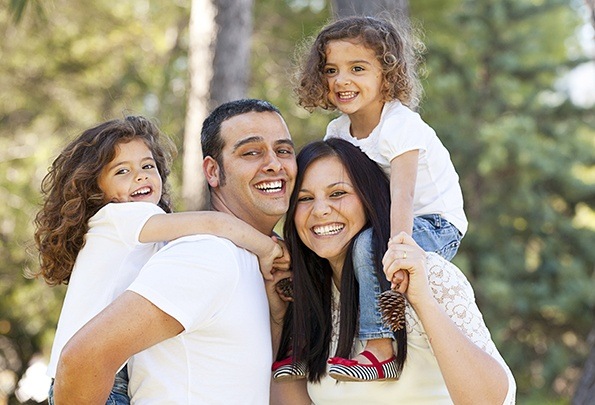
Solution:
(202, 34)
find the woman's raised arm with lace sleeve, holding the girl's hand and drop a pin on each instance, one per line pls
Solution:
(471, 374)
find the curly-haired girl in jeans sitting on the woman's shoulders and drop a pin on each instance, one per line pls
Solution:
(366, 68)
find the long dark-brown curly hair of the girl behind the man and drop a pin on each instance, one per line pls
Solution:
(72, 194)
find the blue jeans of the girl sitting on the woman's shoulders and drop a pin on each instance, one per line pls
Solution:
(431, 232)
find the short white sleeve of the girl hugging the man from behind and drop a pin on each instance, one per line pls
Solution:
(129, 218)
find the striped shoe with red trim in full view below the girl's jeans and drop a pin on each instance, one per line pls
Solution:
(351, 370)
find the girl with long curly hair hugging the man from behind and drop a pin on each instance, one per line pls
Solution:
(106, 212)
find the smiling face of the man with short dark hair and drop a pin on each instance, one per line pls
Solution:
(260, 168)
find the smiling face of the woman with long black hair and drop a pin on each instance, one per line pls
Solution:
(329, 213)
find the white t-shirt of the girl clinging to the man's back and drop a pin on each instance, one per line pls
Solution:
(105, 266)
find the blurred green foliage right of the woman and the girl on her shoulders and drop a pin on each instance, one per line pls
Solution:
(522, 151)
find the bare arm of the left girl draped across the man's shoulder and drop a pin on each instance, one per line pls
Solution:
(167, 227)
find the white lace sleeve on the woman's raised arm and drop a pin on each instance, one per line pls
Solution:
(454, 294)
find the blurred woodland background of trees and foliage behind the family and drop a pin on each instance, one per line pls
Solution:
(509, 88)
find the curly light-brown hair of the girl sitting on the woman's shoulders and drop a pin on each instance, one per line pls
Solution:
(396, 47)
